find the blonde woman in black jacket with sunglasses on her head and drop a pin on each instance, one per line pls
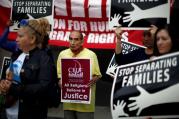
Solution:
(32, 69)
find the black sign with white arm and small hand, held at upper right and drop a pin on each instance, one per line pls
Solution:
(139, 14)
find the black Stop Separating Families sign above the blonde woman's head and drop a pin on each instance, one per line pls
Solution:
(30, 9)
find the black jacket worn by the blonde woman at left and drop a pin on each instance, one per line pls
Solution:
(36, 74)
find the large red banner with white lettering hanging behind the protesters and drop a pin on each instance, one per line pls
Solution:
(78, 15)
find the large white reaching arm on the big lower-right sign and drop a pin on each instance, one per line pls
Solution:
(145, 99)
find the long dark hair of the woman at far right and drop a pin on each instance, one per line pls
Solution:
(173, 35)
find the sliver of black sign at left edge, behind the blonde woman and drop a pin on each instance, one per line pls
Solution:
(5, 65)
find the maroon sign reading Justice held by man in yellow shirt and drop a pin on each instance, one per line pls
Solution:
(76, 75)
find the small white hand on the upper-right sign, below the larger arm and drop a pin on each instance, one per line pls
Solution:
(115, 21)
